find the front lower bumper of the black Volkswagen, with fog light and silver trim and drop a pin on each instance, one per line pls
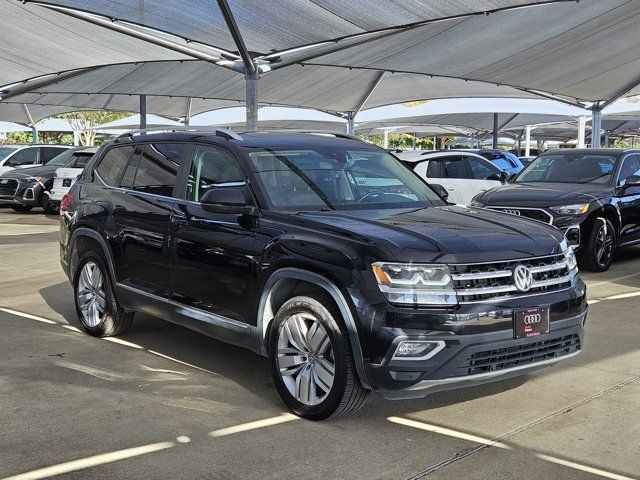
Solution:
(469, 360)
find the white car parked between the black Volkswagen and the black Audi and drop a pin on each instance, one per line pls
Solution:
(463, 175)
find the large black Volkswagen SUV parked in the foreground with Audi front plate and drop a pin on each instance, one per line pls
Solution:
(323, 253)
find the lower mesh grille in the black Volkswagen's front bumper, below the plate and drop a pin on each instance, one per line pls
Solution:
(518, 355)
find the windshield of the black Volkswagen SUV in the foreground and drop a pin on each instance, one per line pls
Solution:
(330, 178)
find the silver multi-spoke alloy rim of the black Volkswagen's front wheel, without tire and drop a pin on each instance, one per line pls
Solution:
(305, 358)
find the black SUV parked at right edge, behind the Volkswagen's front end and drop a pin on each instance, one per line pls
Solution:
(593, 195)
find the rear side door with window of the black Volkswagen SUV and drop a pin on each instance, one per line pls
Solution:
(142, 213)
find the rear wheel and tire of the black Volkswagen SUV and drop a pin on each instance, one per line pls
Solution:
(92, 287)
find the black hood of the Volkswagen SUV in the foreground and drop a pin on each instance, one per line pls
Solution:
(445, 234)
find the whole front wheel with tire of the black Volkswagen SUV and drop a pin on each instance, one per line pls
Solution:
(308, 337)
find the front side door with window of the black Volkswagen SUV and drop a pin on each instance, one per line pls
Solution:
(213, 255)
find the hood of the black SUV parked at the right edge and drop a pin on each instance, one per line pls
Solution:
(543, 194)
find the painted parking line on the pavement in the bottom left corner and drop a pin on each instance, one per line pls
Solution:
(92, 461)
